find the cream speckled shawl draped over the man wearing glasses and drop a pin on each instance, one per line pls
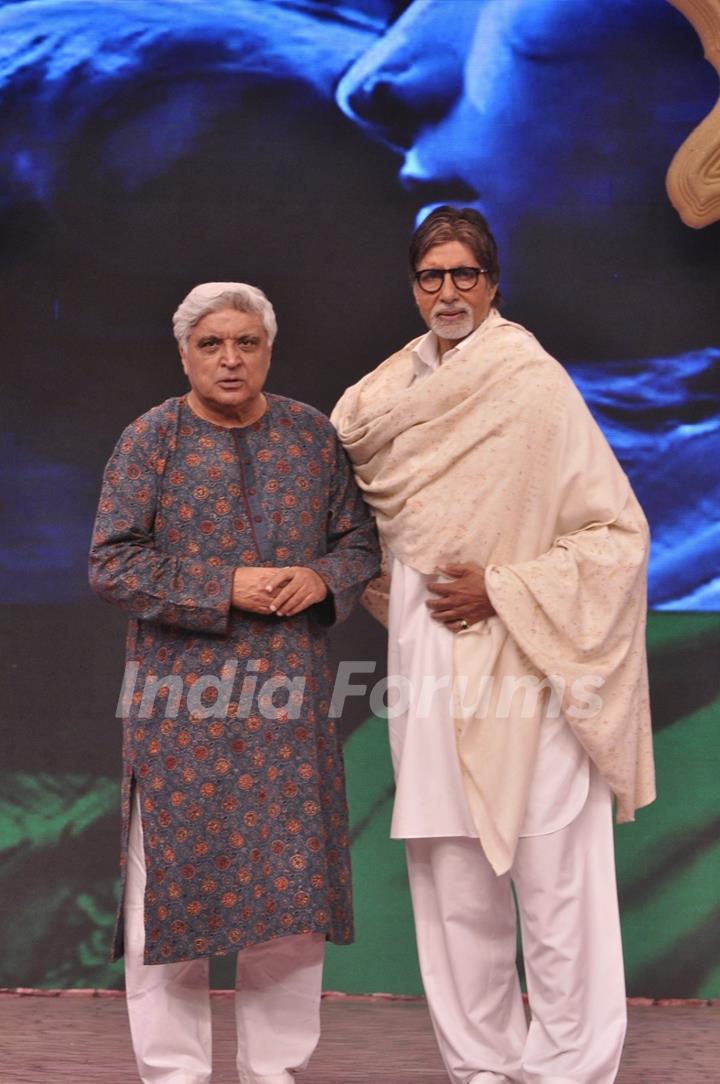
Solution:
(496, 459)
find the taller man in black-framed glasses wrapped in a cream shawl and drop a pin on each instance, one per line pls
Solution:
(515, 595)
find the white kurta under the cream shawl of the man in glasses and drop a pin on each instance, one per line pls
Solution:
(430, 795)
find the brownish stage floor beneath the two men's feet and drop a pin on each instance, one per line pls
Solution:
(85, 1040)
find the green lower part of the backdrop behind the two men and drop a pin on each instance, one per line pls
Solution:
(59, 845)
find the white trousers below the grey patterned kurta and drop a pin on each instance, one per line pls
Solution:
(277, 1000)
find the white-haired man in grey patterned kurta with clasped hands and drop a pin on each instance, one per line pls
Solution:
(232, 532)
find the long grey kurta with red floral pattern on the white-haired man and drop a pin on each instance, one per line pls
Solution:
(241, 779)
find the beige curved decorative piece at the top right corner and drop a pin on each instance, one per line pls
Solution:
(693, 179)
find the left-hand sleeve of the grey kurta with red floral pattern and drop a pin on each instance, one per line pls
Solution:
(126, 566)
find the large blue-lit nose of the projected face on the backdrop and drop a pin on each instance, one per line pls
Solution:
(414, 75)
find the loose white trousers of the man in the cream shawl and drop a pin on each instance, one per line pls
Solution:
(467, 943)
